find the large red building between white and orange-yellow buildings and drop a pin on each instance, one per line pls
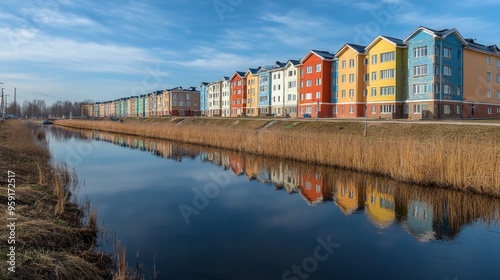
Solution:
(316, 84)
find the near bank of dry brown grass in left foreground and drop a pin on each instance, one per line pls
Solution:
(50, 240)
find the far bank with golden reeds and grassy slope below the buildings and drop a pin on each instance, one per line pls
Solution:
(452, 156)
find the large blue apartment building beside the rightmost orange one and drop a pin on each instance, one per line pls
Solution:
(435, 73)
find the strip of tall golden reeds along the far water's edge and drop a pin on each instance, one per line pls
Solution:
(456, 162)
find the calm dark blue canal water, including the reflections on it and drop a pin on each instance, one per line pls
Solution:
(213, 214)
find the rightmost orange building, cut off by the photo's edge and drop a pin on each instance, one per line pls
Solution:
(481, 81)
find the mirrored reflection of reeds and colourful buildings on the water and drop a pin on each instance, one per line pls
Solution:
(426, 213)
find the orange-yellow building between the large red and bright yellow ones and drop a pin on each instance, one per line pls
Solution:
(352, 81)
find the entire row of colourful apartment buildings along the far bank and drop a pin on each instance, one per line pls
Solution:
(430, 74)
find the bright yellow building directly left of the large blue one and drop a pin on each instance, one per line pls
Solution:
(387, 71)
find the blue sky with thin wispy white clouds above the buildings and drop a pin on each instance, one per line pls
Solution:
(103, 50)
